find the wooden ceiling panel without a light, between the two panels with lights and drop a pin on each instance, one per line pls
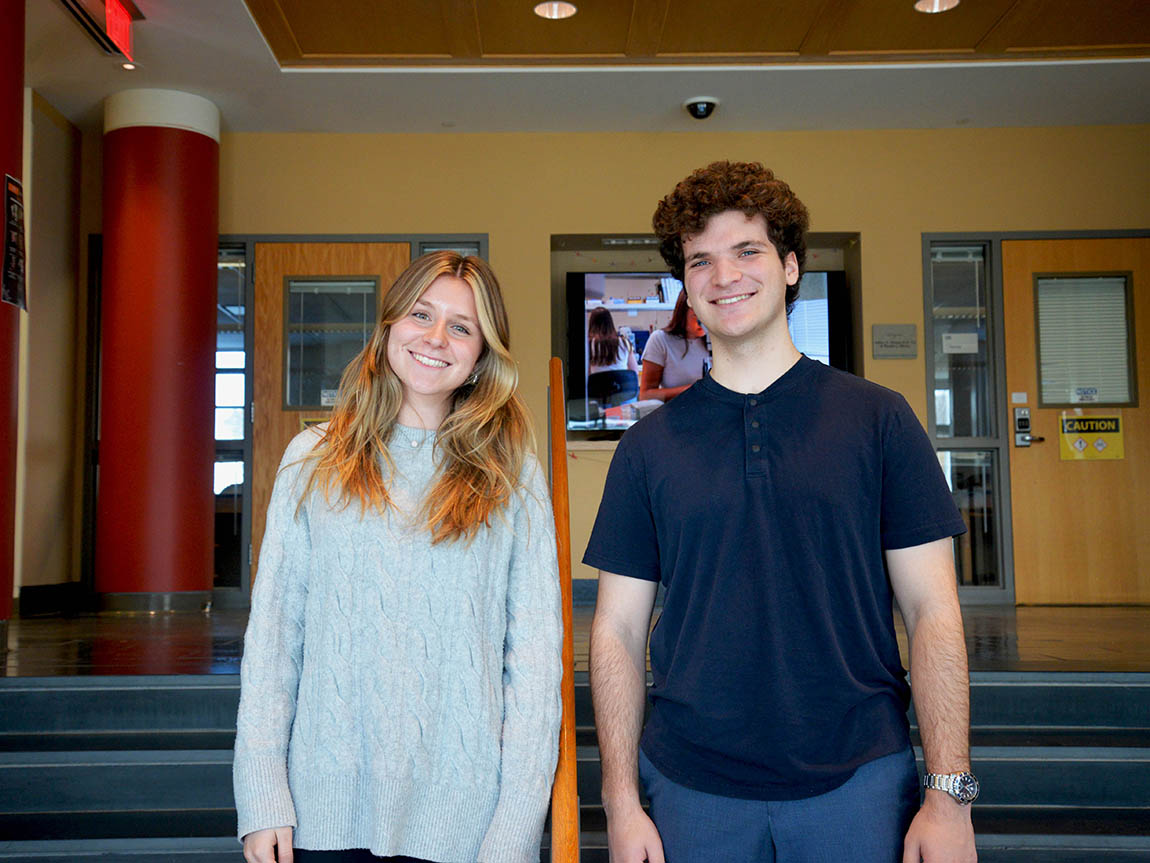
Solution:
(737, 28)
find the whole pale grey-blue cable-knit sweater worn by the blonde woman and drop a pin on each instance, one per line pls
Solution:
(400, 697)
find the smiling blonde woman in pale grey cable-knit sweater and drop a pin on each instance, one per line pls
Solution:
(402, 667)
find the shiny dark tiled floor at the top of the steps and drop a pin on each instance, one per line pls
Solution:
(999, 639)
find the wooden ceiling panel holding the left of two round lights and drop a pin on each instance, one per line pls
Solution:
(513, 30)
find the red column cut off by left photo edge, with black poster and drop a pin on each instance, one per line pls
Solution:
(12, 146)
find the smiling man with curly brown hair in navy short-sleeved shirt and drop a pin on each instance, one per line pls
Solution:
(784, 506)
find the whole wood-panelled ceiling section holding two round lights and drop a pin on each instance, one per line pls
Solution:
(494, 33)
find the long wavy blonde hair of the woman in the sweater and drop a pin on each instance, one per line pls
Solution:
(481, 445)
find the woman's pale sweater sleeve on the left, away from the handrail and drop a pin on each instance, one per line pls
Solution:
(273, 655)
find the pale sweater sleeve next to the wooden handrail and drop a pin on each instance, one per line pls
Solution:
(533, 671)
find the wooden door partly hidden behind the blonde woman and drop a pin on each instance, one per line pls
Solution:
(273, 425)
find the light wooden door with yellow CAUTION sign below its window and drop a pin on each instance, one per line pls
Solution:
(1079, 531)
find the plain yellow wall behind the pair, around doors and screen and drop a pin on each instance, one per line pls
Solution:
(891, 187)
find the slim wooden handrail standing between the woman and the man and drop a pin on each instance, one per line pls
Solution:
(565, 792)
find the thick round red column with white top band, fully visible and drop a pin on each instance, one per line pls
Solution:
(162, 190)
